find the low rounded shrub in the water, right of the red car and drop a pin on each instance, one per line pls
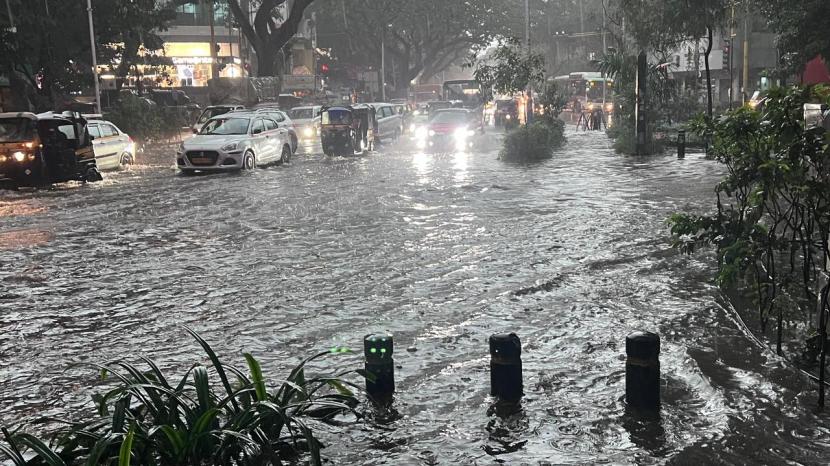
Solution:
(533, 142)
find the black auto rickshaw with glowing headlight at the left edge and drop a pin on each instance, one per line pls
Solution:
(47, 148)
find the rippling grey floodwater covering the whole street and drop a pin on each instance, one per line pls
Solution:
(441, 250)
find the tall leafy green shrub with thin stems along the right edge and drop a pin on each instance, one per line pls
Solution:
(773, 206)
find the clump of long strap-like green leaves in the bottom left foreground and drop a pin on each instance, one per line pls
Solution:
(145, 418)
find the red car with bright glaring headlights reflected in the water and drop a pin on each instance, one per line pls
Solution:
(450, 129)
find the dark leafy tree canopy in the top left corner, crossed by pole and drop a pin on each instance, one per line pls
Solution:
(49, 56)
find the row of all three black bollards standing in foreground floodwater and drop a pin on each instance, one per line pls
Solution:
(642, 369)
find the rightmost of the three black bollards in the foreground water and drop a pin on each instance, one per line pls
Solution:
(642, 371)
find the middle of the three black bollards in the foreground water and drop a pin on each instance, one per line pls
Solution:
(506, 367)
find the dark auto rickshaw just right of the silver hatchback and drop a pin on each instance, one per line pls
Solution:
(348, 130)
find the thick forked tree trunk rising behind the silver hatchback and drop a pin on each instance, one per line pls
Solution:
(269, 32)
